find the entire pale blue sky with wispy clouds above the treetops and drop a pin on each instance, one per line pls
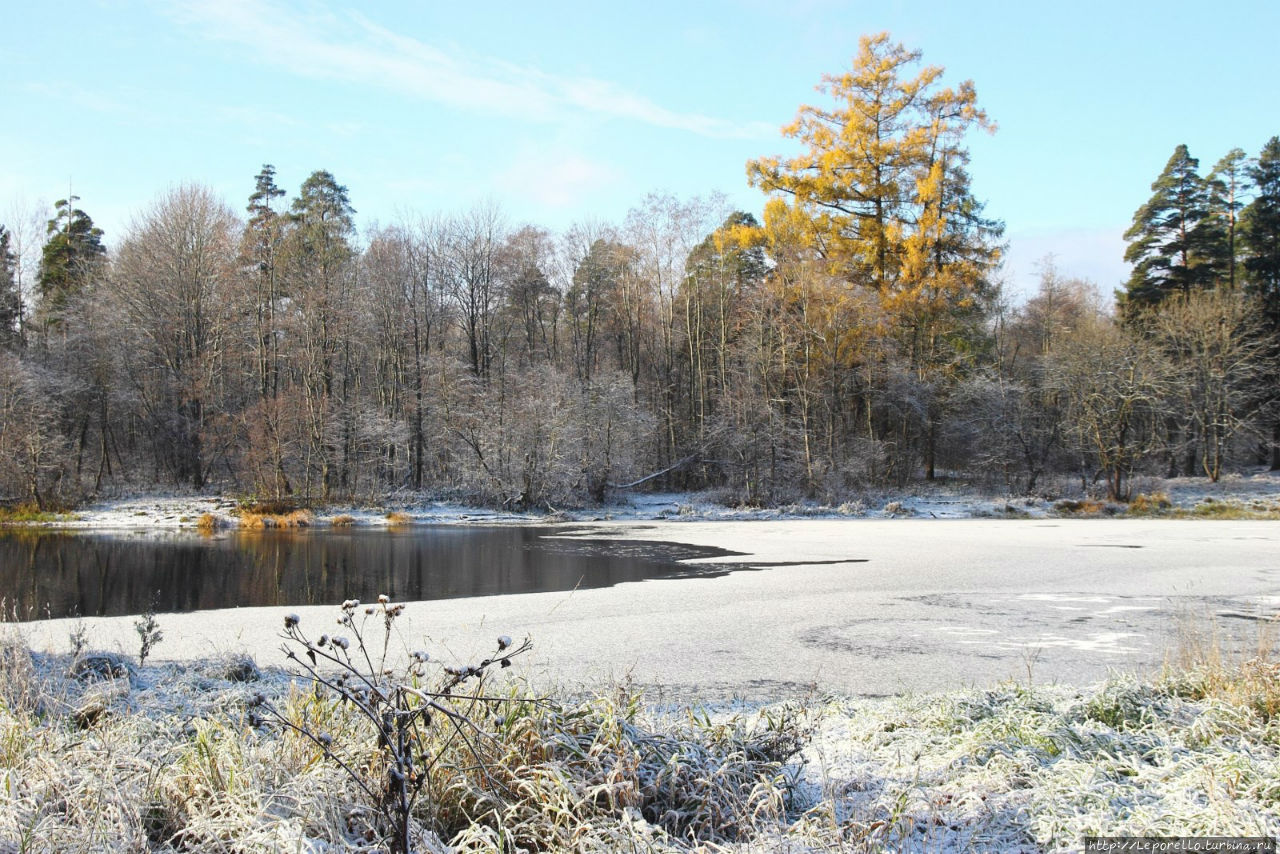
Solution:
(568, 112)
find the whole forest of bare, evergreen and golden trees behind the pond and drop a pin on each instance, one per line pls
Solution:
(853, 336)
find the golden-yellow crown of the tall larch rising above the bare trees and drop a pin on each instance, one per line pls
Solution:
(880, 198)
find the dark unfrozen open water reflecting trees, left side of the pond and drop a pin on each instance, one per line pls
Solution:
(60, 574)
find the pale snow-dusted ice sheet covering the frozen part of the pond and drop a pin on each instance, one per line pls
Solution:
(852, 606)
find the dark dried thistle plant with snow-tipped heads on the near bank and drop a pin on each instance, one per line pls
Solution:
(399, 702)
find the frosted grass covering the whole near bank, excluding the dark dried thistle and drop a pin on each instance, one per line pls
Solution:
(166, 759)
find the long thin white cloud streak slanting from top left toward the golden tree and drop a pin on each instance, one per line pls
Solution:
(356, 51)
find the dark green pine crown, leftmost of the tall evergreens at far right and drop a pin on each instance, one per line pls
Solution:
(1172, 238)
